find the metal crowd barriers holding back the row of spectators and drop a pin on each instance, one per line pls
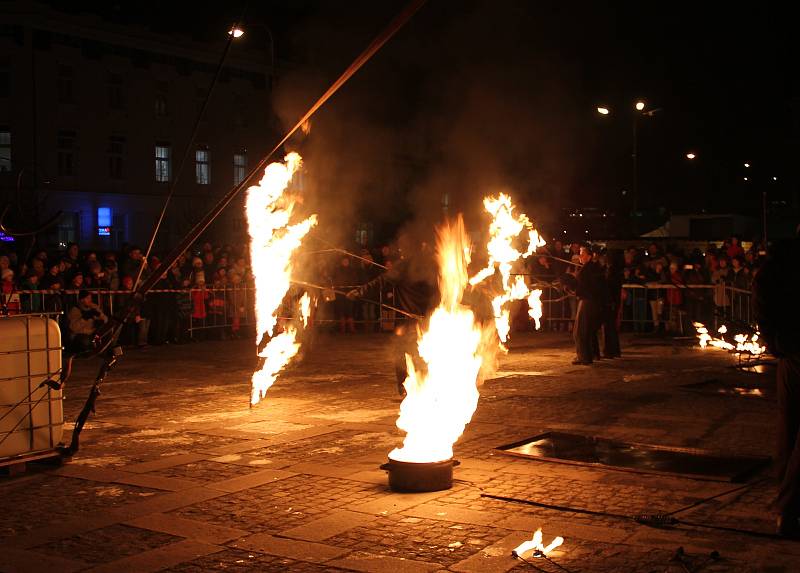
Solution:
(644, 307)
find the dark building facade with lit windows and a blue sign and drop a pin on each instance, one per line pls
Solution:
(95, 119)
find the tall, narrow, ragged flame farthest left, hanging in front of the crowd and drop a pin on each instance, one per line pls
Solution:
(273, 240)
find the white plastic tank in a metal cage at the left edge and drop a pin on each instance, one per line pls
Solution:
(30, 352)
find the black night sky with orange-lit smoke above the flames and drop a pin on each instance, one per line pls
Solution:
(504, 94)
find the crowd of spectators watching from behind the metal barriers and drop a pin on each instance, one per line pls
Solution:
(207, 286)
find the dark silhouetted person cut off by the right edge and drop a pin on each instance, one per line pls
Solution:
(776, 288)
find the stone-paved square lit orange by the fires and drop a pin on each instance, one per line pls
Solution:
(177, 473)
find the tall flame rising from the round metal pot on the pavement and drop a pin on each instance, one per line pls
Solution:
(440, 401)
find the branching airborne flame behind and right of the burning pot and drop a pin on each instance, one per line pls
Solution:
(505, 228)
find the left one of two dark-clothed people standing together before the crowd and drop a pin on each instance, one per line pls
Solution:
(588, 291)
